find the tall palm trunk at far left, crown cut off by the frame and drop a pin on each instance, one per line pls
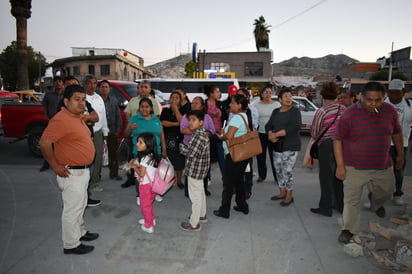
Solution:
(21, 10)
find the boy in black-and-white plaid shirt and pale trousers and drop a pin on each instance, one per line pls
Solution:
(197, 166)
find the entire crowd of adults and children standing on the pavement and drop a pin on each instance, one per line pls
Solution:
(354, 144)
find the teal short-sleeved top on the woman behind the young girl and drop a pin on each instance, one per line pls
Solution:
(153, 125)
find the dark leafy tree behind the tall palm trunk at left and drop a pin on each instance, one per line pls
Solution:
(8, 66)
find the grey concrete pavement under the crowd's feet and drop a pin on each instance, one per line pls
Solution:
(271, 239)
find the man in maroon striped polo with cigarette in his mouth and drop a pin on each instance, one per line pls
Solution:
(361, 146)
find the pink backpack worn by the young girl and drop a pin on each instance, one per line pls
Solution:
(164, 177)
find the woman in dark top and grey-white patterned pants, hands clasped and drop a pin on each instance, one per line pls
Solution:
(283, 131)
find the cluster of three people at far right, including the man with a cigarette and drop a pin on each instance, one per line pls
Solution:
(362, 141)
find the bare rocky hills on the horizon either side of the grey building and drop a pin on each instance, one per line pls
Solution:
(329, 65)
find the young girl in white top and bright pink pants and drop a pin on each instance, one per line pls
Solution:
(145, 167)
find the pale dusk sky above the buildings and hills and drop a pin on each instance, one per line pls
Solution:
(158, 29)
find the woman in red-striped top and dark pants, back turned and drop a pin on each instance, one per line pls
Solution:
(331, 188)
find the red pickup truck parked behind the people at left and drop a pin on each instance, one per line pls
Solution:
(28, 120)
